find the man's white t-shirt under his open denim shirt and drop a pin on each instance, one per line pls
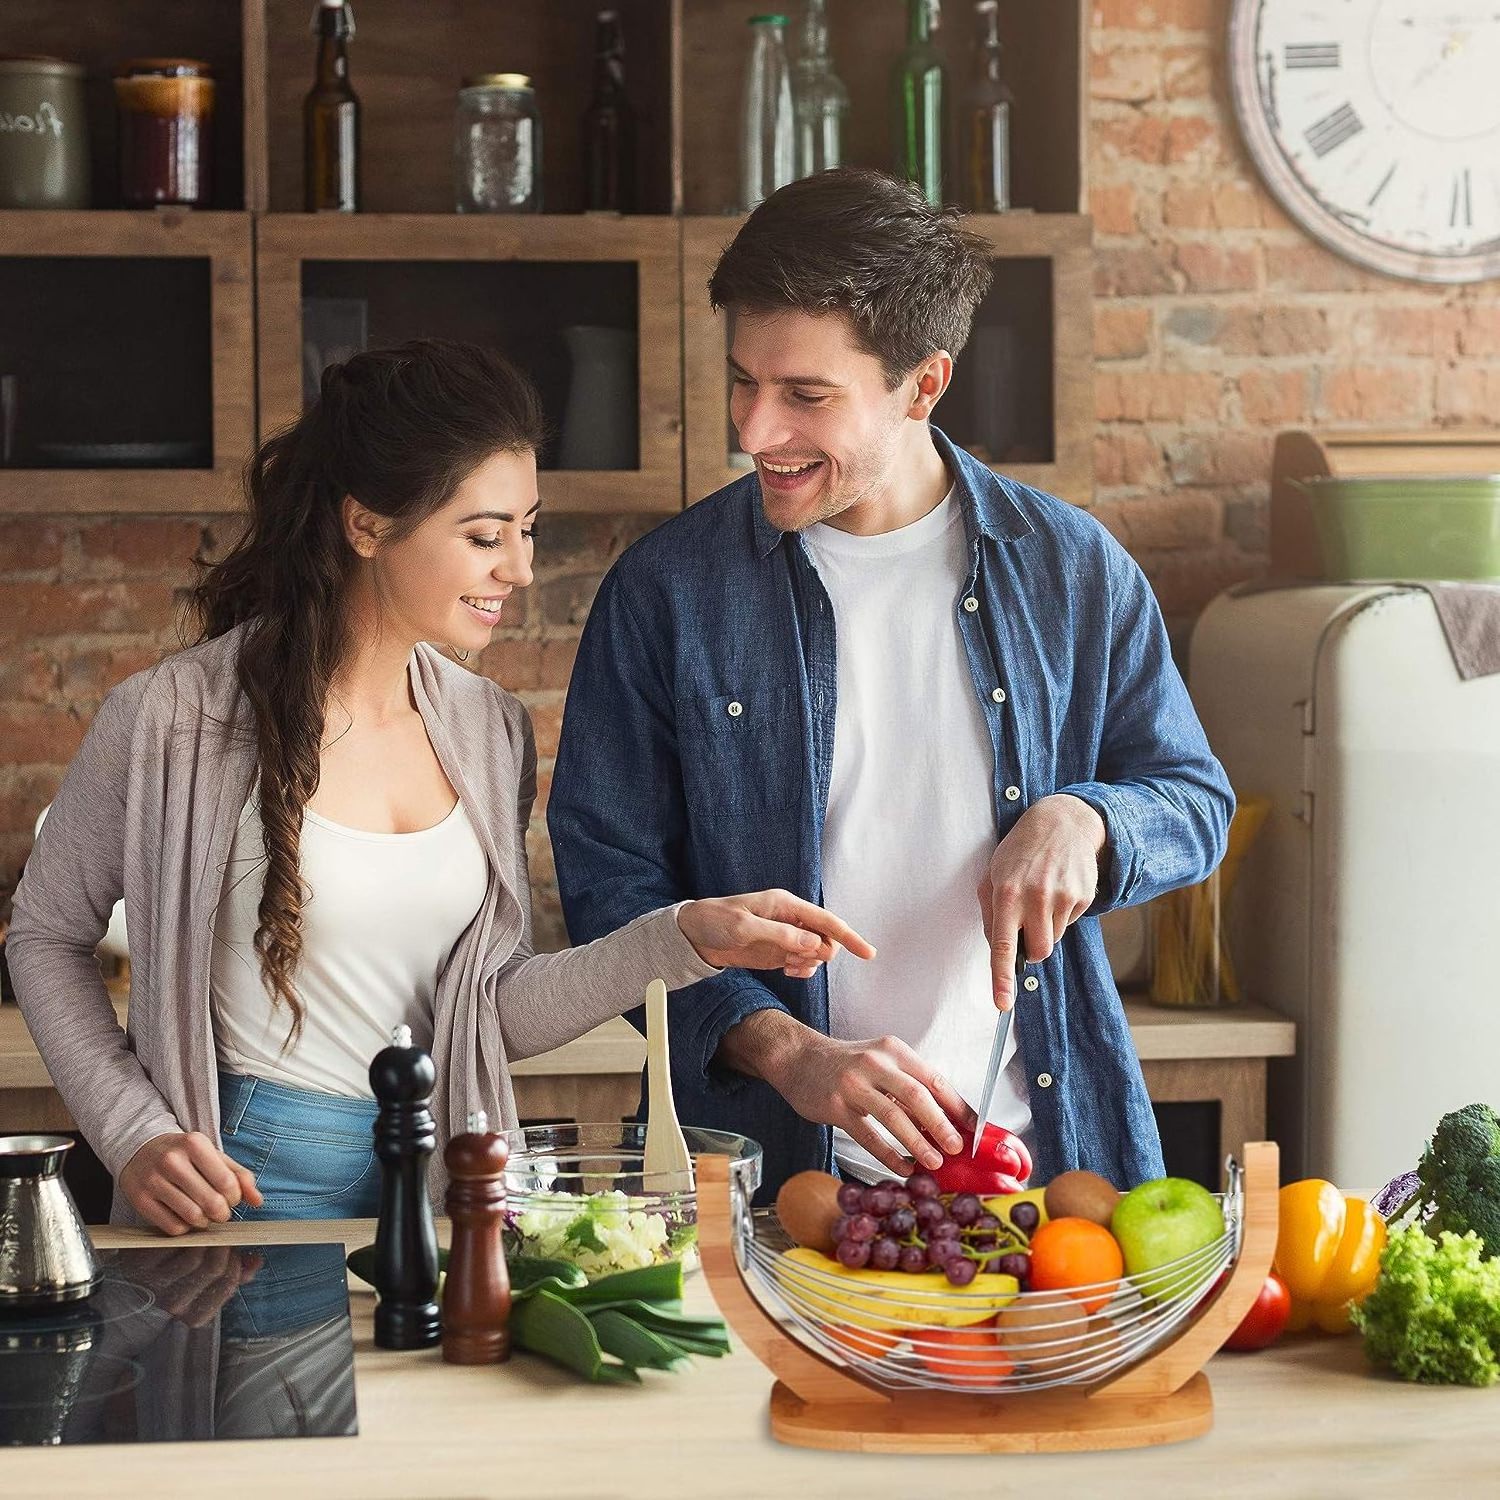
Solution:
(911, 827)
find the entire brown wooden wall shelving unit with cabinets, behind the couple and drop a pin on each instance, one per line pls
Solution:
(685, 76)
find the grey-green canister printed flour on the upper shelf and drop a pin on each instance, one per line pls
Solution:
(44, 136)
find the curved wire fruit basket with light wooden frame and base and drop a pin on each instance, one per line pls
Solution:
(874, 1366)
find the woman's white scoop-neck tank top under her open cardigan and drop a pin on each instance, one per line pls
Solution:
(377, 931)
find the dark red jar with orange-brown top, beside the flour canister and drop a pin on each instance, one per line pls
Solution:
(166, 133)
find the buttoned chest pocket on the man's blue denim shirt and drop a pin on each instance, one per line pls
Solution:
(743, 751)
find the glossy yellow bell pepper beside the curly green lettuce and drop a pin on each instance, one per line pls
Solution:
(1328, 1253)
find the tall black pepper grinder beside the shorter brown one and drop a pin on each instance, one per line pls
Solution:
(406, 1241)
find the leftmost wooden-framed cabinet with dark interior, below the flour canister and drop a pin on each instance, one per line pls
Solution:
(220, 311)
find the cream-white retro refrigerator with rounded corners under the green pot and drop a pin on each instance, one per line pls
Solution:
(1369, 910)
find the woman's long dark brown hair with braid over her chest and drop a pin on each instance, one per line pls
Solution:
(398, 430)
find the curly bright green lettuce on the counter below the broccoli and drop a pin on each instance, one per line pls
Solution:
(1435, 1313)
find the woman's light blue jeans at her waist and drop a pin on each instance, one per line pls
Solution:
(313, 1154)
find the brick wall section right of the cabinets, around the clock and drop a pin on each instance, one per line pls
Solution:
(1219, 322)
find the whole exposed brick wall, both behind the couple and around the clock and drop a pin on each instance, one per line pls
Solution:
(1217, 323)
